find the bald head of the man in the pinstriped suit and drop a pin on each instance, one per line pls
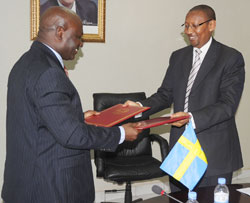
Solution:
(58, 27)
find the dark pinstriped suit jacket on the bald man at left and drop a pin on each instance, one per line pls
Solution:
(48, 156)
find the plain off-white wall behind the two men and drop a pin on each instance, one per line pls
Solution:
(140, 36)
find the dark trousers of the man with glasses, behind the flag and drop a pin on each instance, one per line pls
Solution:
(176, 186)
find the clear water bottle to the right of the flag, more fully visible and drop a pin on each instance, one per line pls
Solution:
(221, 192)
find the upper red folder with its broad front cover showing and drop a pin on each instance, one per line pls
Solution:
(114, 115)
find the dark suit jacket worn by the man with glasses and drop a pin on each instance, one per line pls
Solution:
(213, 101)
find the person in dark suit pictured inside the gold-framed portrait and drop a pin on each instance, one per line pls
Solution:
(86, 9)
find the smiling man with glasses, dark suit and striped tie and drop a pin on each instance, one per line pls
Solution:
(213, 99)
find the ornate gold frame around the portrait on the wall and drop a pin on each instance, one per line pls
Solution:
(35, 18)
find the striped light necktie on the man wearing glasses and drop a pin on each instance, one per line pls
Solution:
(192, 76)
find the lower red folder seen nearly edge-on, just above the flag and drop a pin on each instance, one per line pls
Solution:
(159, 121)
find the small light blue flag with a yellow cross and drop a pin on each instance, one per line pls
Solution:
(186, 162)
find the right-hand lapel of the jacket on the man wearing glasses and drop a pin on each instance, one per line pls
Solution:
(207, 65)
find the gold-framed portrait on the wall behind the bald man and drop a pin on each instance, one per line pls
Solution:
(91, 12)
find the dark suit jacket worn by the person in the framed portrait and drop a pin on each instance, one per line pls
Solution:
(86, 9)
